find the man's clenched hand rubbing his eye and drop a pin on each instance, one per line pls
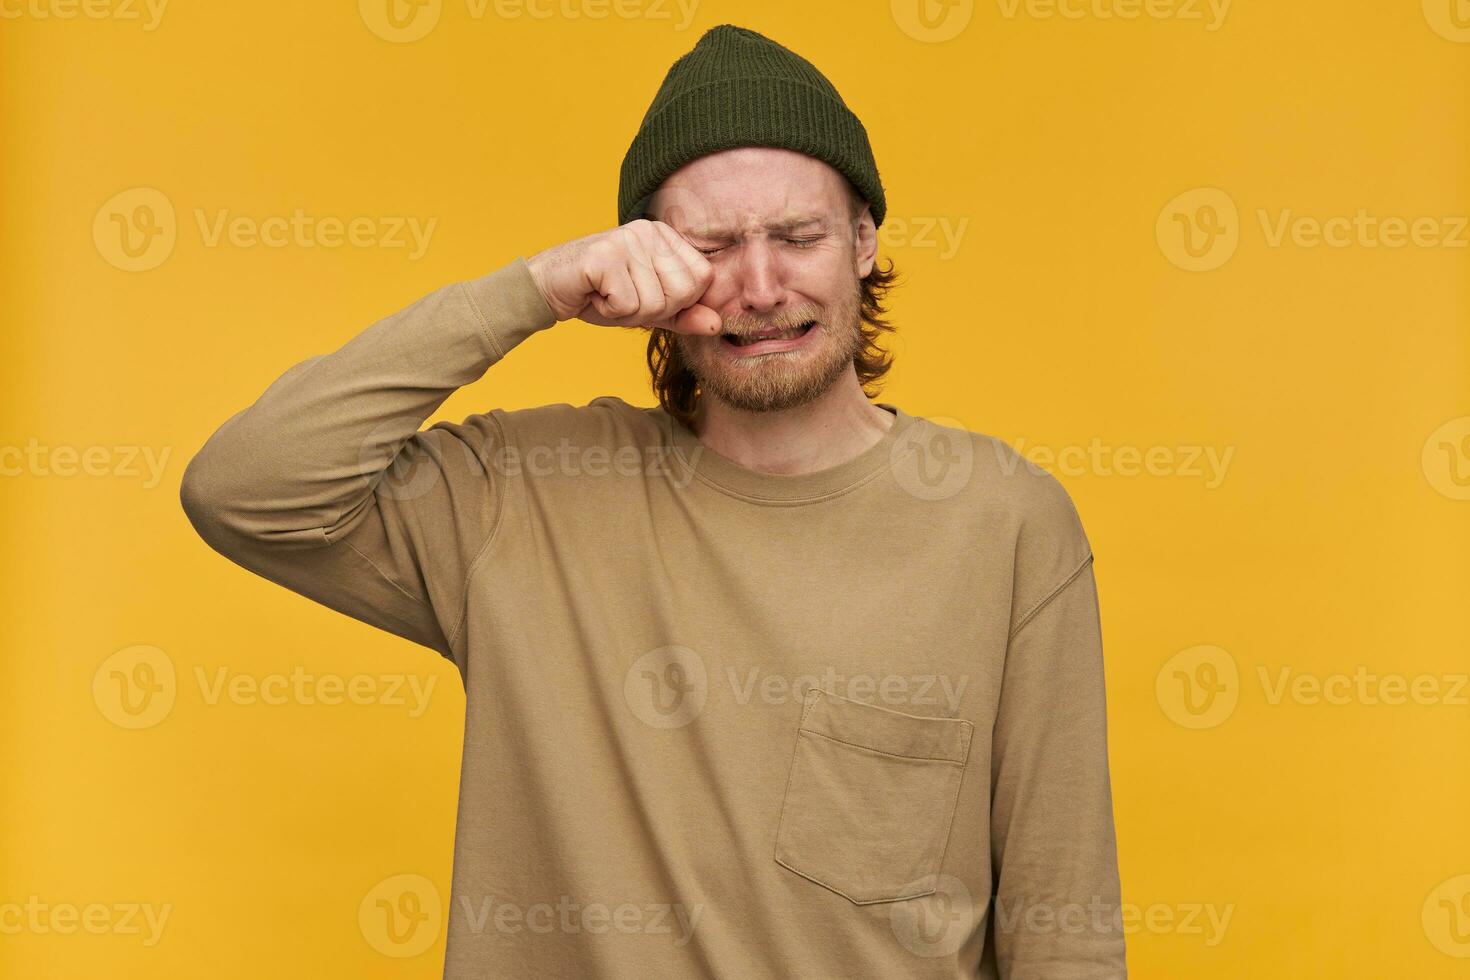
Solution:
(642, 274)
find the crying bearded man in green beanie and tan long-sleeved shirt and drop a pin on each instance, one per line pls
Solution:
(768, 681)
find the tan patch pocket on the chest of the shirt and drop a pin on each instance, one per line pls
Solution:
(871, 799)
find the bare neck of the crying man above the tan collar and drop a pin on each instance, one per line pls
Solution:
(825, 433)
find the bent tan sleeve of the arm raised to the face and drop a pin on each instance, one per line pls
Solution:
(327, 484)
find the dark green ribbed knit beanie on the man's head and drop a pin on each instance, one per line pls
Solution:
(740, 89)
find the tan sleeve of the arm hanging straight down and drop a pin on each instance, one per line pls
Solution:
(1058, 896)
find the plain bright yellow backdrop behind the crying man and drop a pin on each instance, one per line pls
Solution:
(1050, 146)
